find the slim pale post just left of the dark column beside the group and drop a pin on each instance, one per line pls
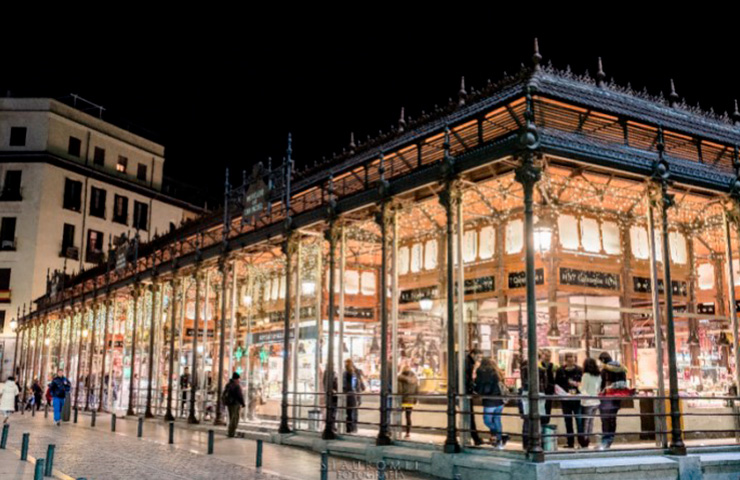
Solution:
(661, 438)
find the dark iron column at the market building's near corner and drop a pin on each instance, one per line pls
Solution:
(528, 175)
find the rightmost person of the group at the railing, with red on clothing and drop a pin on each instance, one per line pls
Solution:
(613, 384)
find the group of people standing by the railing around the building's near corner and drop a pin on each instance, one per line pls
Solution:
(581, 390)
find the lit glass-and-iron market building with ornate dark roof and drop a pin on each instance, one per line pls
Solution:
(545, 209)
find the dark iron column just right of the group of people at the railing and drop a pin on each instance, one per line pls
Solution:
(662, 174)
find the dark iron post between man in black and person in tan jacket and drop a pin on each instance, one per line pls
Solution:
(383, 218)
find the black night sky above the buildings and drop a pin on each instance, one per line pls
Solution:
(224, 92)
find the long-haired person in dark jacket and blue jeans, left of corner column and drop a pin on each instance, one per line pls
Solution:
(488, 383)
